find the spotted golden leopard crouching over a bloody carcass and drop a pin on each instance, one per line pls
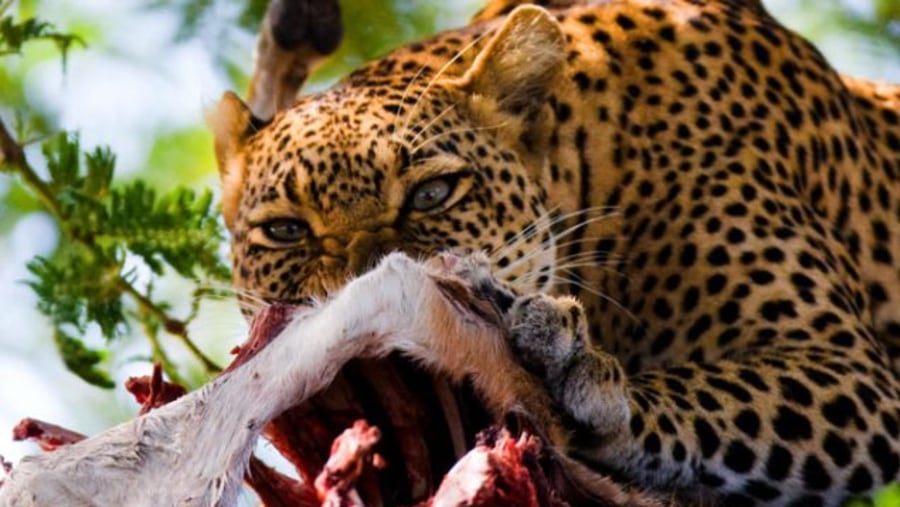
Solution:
(692, 223)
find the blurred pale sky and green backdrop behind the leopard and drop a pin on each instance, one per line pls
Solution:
(140, 86)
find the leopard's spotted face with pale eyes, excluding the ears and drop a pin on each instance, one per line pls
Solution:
(308, 219)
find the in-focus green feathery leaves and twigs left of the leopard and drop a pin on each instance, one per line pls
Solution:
(89, 279)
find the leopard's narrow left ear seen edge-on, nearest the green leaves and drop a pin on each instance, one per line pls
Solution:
(231, 123)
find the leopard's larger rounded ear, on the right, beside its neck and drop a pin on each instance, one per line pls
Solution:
(519, 64)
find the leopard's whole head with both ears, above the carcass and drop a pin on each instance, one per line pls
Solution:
(417, 153)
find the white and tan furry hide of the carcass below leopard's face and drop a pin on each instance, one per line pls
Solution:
(196, 450)
